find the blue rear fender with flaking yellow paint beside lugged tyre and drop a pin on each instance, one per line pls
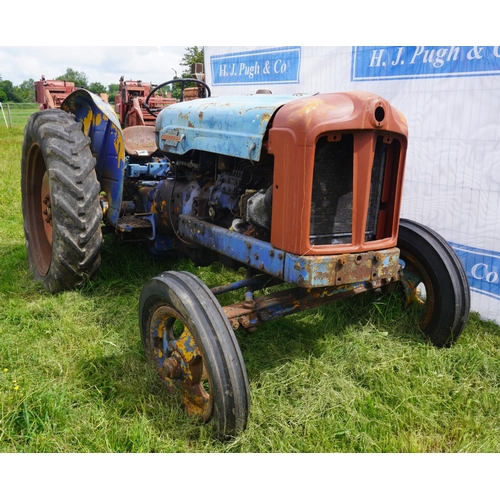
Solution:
(101, 125)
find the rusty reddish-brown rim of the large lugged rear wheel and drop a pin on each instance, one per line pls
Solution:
(39, 210)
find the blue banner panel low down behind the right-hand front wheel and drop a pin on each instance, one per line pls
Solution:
(482, 268)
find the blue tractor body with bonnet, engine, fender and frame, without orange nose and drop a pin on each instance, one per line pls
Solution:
(140, 187)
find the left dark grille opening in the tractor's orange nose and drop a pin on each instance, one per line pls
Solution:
(332, 195)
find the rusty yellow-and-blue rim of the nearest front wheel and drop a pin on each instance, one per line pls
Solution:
(179, 361)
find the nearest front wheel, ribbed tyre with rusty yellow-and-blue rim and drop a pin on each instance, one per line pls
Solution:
(187, 337)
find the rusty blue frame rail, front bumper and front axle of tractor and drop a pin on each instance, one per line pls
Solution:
(318, 279)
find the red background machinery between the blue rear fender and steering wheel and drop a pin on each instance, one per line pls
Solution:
(129, 103)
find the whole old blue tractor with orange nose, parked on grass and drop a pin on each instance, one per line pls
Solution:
(300, 190)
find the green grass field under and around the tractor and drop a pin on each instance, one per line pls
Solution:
(353, 376)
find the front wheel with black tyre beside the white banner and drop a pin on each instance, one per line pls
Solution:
(434, 280)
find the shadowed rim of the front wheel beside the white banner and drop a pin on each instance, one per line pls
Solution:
(418, 289)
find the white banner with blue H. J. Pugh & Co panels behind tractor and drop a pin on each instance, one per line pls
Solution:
(451, 99)
